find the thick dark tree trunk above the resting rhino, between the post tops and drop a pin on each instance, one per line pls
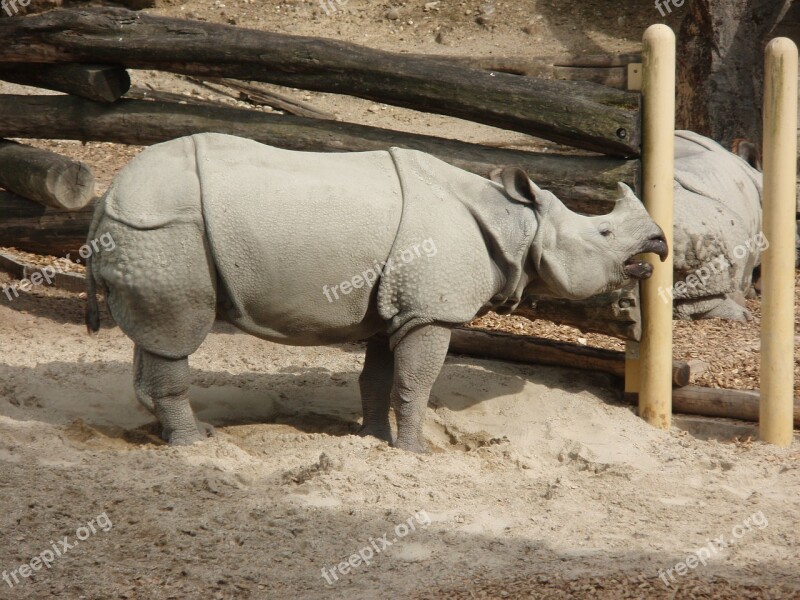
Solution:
(721, 67)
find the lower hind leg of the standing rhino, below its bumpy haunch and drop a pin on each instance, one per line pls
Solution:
(163, 383)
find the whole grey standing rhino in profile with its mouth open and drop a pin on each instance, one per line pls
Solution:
(213, 225)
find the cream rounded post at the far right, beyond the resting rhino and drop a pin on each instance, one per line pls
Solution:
(777, 262)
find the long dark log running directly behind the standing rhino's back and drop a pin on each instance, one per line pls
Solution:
(586, 184)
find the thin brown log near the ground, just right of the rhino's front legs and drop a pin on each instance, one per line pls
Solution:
(540, 351)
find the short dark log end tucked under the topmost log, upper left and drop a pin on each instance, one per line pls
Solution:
(100, 83)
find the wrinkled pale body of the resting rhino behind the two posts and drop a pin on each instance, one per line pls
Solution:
(717, 227)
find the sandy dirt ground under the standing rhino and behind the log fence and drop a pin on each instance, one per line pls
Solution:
(539, 484)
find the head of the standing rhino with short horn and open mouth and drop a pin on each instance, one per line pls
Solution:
(575, 256)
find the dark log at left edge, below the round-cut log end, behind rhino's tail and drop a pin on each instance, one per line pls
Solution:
(35, 228)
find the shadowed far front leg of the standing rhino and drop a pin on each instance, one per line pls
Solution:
(375, 383)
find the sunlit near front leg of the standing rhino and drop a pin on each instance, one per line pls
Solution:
(418, 358)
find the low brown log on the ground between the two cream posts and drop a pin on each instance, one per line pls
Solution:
(715, 402)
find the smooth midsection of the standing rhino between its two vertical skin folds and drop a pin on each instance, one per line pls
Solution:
(298, 238)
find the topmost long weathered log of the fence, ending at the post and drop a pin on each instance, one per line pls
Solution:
(580, 114)
